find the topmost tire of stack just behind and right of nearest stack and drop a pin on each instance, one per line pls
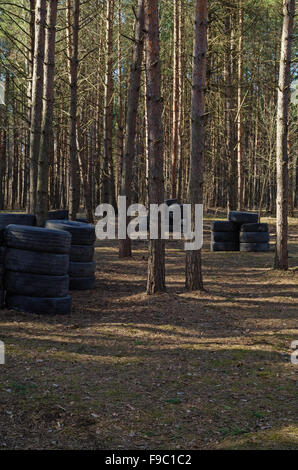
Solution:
(82, 234)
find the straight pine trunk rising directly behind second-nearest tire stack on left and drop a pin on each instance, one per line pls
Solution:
(73, 16)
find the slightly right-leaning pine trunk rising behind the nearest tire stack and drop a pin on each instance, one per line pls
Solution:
(47, 137)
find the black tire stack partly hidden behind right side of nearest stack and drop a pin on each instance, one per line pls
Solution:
(81, 266)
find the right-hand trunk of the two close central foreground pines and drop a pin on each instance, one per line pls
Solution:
(193, 270)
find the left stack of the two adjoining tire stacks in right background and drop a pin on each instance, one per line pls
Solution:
(224, 236)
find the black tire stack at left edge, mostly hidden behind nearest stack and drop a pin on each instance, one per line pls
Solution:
(6, 219)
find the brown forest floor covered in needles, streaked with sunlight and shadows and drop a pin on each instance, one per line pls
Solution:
(180, 370)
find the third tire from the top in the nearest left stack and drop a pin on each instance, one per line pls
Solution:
(36, 285)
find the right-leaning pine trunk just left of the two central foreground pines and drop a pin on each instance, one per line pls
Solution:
(131, 117)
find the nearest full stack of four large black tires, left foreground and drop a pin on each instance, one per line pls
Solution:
(36, 270)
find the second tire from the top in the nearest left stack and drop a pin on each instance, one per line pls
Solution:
(35, 262)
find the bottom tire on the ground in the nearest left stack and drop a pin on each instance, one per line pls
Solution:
(39, 305)
